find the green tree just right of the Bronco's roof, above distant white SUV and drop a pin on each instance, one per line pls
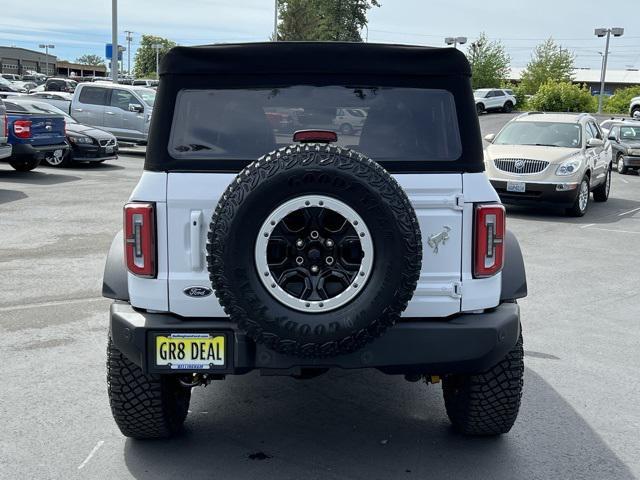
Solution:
(489, 63)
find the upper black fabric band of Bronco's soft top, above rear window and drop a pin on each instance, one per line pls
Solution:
(315, 58)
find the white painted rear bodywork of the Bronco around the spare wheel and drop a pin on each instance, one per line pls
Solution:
(443, 203)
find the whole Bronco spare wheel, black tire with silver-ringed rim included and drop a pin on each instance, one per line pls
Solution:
(314, 250)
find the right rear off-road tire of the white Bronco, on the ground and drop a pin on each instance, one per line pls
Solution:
(486, 403)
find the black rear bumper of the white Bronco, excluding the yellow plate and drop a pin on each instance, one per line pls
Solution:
(463, 344)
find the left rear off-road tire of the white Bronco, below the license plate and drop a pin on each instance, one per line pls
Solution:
(144, 406)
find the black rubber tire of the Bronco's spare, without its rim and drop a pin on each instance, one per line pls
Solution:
(296, 171)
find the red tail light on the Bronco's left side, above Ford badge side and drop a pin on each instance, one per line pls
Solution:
(140, 238)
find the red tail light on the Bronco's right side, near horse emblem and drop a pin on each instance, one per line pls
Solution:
(489, 240)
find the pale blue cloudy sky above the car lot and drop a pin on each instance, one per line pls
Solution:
(77, 27)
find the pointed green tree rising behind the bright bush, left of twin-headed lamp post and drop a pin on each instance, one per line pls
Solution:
(549, 62)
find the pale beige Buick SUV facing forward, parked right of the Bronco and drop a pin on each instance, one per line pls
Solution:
(550, 160)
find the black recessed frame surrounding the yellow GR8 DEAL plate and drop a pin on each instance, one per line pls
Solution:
(155, 367)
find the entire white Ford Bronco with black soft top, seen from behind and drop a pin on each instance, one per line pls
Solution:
(261, 236)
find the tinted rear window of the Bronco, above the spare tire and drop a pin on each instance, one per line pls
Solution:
(384, 123)
